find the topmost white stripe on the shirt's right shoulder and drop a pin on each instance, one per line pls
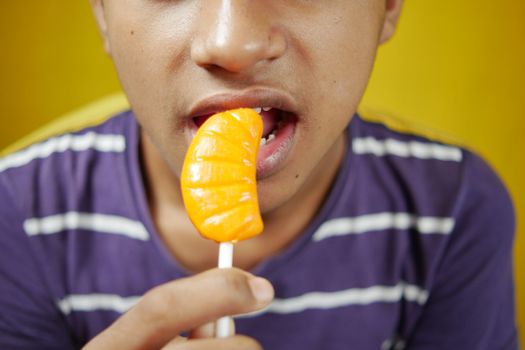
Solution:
(370, 145)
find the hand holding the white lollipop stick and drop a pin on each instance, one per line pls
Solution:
(184, 305)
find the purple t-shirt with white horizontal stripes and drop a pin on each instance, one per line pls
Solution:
(410, 250)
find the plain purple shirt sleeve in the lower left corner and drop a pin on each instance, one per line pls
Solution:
(29, 317)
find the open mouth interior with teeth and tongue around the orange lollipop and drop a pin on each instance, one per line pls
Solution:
(276, 141)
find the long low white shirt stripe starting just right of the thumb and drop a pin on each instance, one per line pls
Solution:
(353, 296)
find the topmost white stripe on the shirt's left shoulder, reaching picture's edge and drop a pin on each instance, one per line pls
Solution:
(90, 140)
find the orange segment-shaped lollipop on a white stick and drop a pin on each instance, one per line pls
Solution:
(219, 185)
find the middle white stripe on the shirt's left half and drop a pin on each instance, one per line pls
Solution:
(95, 222)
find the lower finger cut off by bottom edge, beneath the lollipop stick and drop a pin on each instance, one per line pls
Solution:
(237, 342)
